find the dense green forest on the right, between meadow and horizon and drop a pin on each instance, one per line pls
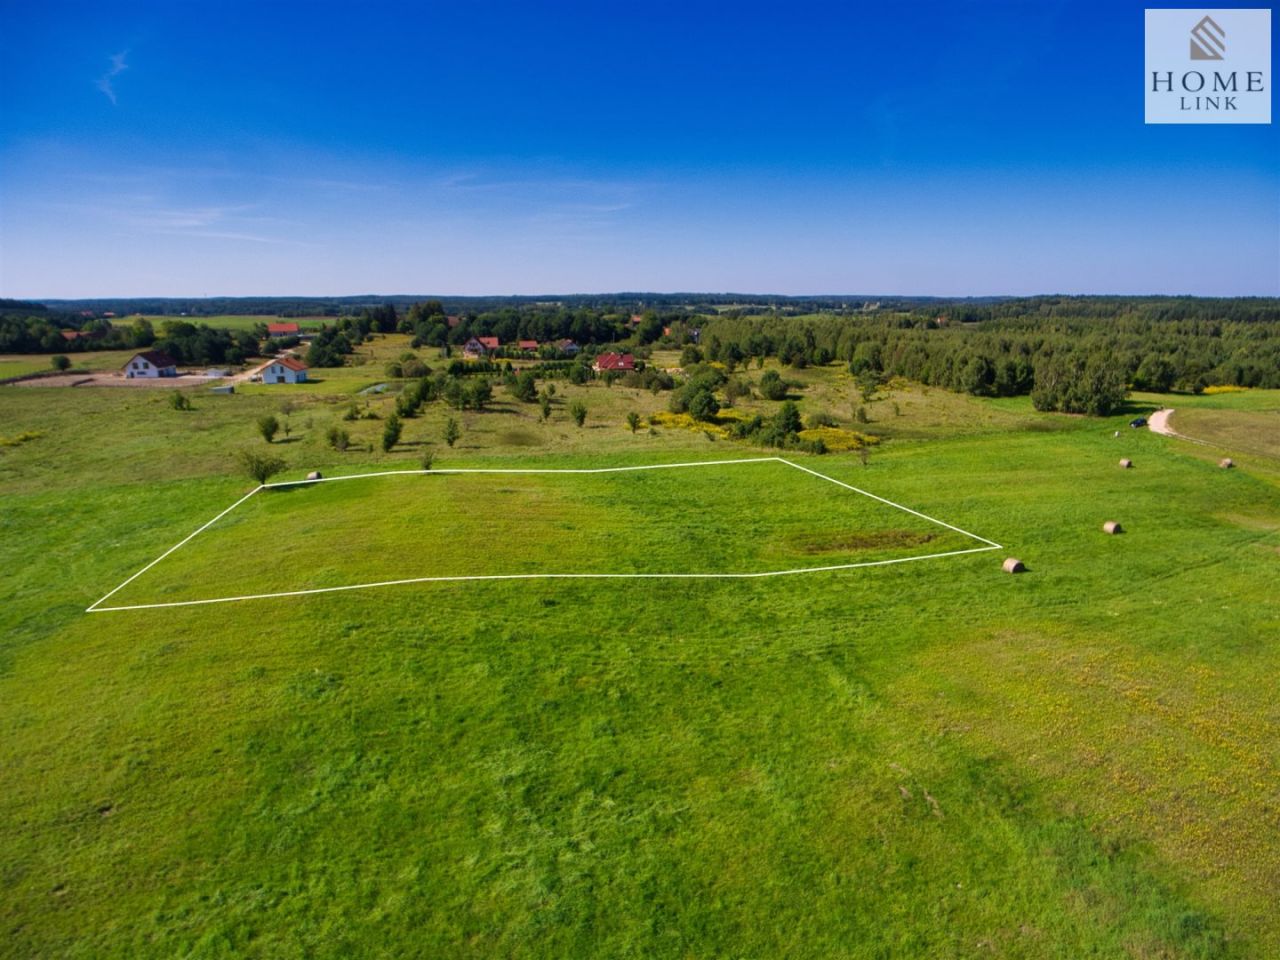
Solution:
(1076, 355)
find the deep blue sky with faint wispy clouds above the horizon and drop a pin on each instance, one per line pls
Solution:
(953, 149)
